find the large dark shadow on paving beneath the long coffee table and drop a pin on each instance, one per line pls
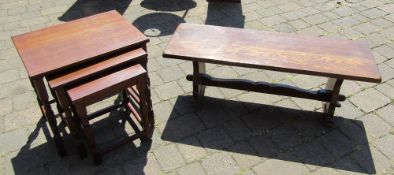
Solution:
(270, 132)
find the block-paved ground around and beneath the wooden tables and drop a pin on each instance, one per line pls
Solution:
(231, 132)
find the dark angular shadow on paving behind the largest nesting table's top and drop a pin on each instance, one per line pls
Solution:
(83, 8)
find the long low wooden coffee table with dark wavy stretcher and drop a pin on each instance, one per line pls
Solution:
(326, 57)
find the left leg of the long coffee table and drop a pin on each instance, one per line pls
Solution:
(198, 89)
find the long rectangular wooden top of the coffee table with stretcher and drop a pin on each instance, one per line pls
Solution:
(284, 52)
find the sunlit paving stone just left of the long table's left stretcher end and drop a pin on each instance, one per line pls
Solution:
(168, 90)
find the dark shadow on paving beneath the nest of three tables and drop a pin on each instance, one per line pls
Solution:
(43, 159)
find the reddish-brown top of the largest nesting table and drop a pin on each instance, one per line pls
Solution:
(56, 47)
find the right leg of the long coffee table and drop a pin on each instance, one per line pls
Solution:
(334, 85)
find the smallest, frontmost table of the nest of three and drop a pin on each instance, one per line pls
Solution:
(101, 88)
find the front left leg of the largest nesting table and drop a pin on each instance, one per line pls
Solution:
(47, 112)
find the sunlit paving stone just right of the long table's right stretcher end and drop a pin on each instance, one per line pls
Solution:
(369, 100)
